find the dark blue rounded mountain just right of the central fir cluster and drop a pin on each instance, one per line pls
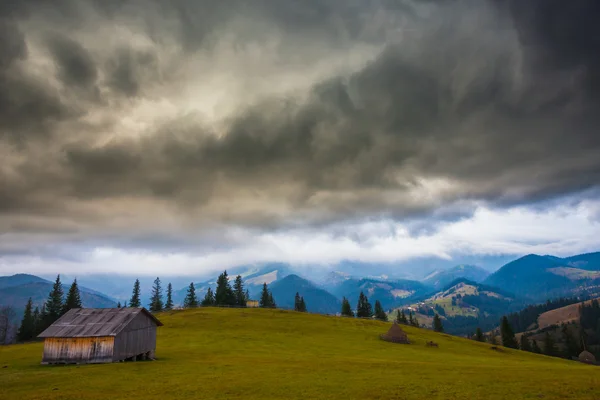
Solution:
(317, 300)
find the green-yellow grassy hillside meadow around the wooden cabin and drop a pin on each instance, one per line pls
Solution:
(274, 354)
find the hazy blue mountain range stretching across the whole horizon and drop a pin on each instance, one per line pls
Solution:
(529, 279)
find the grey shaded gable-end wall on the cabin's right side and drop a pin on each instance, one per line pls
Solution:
(138, 337)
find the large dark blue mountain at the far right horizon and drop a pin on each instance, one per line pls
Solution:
(537, 277)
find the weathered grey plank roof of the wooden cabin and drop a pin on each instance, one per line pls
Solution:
(93, 322)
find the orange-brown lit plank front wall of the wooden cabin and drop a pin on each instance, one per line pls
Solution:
(78, 350)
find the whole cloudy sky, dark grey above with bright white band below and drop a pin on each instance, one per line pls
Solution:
(141, 135)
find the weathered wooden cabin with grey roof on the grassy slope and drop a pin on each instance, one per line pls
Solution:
(100, 335)
